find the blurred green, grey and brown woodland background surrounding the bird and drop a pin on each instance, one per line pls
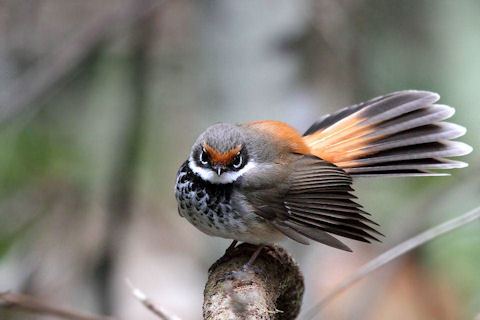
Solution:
(100, 102)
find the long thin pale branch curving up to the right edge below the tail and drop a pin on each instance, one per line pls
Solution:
(394, 253)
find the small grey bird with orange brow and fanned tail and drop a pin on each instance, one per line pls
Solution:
(263, 181)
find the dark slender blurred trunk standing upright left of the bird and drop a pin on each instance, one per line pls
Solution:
(123, 178)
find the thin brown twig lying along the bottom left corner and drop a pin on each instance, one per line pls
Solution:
(30, 304)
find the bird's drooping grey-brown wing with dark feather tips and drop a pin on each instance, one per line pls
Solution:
(313, 202)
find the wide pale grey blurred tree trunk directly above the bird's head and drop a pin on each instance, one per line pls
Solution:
(244, 68)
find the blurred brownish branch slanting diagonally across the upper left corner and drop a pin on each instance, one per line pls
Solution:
(36, 83)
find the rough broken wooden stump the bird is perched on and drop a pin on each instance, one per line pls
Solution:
(271, 289)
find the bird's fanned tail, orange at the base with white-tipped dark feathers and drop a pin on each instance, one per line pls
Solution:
(399, 134)
